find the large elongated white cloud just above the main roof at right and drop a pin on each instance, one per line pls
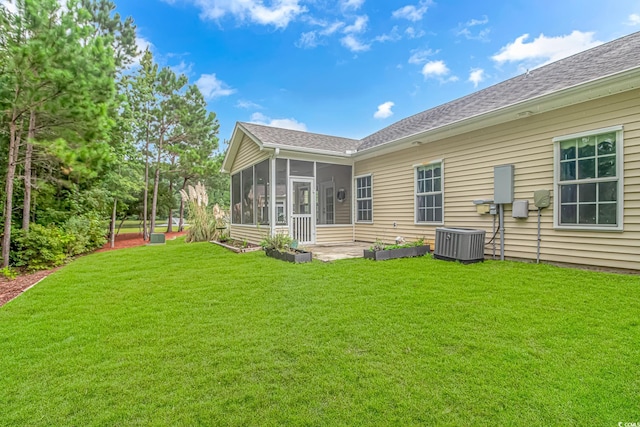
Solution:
(545, 49)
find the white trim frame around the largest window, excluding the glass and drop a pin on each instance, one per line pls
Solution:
(619, 173)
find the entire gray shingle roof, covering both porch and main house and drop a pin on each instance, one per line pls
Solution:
(608, 59)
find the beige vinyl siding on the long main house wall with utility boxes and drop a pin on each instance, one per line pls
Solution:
(468, 162)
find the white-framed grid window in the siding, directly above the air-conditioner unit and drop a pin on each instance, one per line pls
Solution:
(429, 193)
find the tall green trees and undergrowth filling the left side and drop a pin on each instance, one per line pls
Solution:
(92, 129)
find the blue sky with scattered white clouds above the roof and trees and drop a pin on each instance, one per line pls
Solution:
(352, 67)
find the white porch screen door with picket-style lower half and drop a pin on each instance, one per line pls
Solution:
(302, 225)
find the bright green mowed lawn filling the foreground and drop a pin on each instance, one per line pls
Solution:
(188, 334)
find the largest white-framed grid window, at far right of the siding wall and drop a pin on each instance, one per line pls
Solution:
(589, 180)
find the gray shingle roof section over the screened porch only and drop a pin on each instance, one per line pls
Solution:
(299, 139)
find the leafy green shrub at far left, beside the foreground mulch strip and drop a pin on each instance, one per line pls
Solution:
(40, 247)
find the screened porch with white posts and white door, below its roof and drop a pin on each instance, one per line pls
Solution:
(310, 200)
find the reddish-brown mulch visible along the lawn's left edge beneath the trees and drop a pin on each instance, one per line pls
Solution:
(10, 289)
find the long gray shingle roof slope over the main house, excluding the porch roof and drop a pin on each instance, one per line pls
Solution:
(616, 56)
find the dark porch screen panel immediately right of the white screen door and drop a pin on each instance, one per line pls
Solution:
(333, 184)
